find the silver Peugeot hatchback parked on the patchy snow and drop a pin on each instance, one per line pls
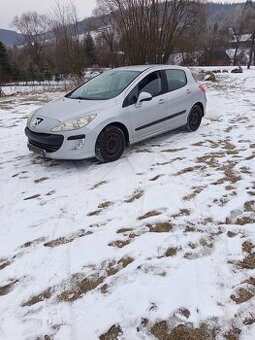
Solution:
(117, 108)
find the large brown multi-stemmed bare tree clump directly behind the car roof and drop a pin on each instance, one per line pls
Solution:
(149, 29)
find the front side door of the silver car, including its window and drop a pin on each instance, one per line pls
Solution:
(147, 118)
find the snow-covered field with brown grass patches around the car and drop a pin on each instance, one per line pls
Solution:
(157, 245)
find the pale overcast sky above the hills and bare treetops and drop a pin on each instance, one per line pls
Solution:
(10, 8)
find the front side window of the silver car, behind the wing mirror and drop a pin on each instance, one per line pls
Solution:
(152, 84)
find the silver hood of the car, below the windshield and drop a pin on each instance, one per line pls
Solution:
(66, 108)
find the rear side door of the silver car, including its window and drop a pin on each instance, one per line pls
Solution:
(179, 97)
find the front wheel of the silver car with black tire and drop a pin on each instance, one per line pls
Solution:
(110, 144)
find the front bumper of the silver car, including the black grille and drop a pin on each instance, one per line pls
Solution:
(65, 146)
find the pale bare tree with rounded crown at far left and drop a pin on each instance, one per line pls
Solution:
(33, 27)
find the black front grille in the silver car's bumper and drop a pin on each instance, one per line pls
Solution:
(45, 141)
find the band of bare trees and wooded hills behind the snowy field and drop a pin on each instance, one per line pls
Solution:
(130, 32)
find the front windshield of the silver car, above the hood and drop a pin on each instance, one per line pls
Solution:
(105, 86)
